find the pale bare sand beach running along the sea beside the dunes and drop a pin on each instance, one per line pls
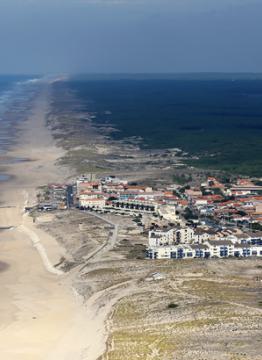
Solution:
(40, 316)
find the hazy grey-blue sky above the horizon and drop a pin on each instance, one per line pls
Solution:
(130, 36)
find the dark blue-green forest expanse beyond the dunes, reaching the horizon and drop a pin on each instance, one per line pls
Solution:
(218, 120)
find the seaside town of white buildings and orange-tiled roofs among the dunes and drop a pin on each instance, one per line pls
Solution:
(213, 220)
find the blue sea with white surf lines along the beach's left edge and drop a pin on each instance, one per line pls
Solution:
(15, 92)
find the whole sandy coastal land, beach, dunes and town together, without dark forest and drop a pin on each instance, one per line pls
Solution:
(143, 257)
